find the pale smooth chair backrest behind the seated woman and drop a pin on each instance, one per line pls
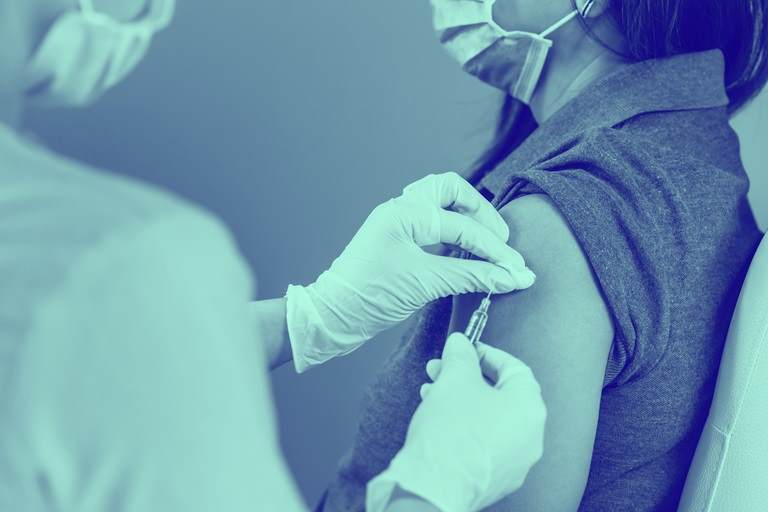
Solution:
(730, 469)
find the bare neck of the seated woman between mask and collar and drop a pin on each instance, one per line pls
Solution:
(570, 69)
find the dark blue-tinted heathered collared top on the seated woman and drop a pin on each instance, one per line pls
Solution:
(646, 169)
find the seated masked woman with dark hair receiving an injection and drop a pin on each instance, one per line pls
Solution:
(623, 187)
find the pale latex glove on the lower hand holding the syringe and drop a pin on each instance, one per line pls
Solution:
(471, 441)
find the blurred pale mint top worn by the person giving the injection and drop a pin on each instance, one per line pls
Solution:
(130, 380)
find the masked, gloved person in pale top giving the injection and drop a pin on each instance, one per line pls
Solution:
(132, 360)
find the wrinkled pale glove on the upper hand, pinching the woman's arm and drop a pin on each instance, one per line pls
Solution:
(384, 275)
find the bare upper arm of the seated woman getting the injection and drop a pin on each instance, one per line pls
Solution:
(562, 329)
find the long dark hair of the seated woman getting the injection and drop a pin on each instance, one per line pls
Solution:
(663, 28)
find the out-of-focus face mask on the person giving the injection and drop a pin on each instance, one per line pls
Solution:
(86, 52)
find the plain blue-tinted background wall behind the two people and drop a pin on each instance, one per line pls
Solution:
(291, 121)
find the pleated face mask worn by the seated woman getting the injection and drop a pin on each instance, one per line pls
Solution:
(508, 60)
